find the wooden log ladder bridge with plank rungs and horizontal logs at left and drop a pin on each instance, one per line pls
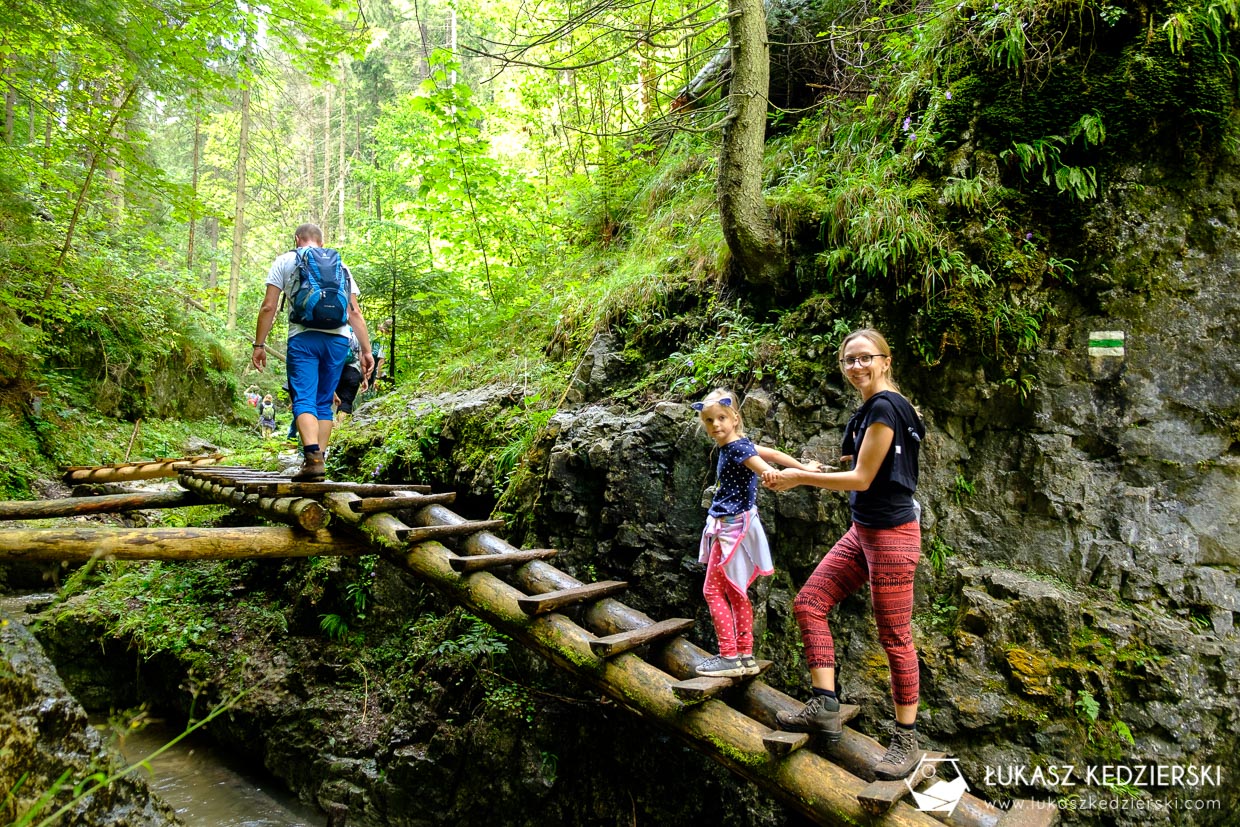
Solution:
(643, 665)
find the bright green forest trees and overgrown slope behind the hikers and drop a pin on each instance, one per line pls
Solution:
(562, 170)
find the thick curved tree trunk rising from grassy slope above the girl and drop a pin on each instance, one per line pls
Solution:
(757, 247)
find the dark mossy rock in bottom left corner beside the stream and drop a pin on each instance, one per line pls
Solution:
(48, 743)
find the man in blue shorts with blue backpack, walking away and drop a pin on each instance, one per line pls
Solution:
(323, 306)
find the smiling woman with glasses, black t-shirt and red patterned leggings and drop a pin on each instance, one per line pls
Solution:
(882, 443)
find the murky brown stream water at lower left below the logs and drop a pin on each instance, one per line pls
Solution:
(206, 788)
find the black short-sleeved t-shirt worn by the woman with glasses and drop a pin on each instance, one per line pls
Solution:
(888, 502)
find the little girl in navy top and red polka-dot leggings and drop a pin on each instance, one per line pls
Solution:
(733, 544)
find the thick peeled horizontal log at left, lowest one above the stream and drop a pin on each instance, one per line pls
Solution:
(111, 544)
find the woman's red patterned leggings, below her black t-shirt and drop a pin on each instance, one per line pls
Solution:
(887, 559)
